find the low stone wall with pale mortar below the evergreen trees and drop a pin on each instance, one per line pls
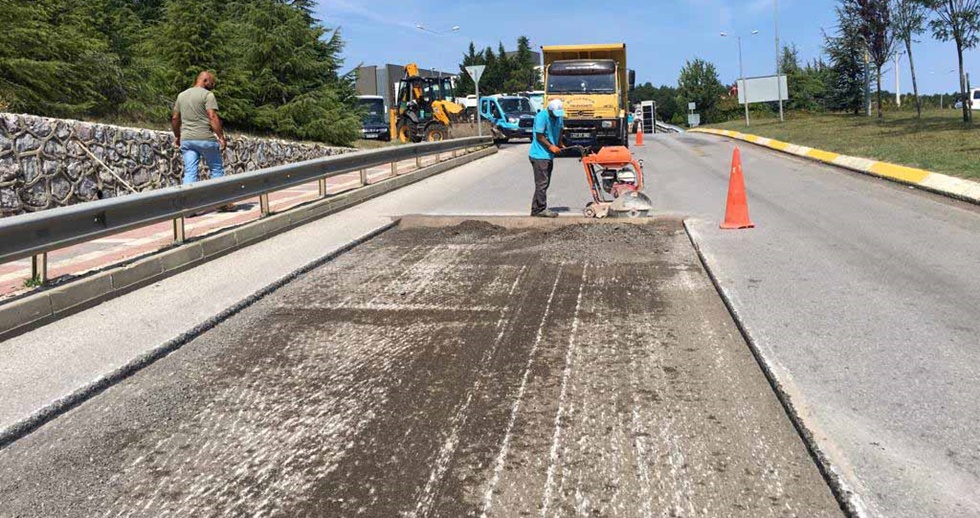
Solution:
(44, 162)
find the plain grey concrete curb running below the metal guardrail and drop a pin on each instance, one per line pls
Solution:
(38, 309)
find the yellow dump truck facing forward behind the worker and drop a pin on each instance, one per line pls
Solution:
(594, 84)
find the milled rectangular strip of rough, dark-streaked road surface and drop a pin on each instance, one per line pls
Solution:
(471, 370)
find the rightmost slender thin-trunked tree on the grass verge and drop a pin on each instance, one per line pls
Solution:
(959, 21)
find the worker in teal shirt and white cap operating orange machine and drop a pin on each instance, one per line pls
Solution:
(544, 146)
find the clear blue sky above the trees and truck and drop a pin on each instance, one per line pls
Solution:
(660, 34)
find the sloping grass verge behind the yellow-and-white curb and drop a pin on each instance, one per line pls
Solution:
(938, 142)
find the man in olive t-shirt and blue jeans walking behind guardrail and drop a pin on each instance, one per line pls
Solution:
(197, 128)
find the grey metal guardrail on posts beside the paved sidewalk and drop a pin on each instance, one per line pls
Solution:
(36, 234)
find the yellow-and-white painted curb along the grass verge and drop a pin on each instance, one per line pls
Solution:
(945, 185)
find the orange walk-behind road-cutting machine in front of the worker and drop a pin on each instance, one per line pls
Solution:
(616, 181)
